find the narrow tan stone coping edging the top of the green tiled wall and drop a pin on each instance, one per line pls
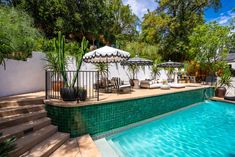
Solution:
(60, 103)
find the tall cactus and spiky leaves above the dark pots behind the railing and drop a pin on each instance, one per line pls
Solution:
(57, 59)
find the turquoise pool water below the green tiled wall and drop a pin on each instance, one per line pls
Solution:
(204, 130)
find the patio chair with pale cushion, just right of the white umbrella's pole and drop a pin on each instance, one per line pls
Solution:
(119, 85)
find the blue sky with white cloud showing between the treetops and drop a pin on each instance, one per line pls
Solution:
(222, 16)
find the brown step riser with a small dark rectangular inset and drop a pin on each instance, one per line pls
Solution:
(24, 128)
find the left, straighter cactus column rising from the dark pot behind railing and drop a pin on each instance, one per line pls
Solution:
(60, 51)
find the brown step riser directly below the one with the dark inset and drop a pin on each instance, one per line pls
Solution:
(27, 142)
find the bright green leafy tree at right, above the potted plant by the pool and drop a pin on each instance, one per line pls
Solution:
(208, 44)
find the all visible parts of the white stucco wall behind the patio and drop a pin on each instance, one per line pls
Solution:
(29, 76)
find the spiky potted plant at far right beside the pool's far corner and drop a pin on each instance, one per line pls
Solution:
(224, 81)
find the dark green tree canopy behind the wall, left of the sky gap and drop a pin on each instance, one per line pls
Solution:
(101, 21)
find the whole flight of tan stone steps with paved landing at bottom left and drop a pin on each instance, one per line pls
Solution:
(25, 118)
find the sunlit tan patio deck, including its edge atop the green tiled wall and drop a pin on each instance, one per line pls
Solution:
(112, 97)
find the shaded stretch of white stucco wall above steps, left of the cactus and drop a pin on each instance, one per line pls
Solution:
(23, 76)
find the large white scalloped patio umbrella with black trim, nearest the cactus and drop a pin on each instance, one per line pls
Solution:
(106, 54)
